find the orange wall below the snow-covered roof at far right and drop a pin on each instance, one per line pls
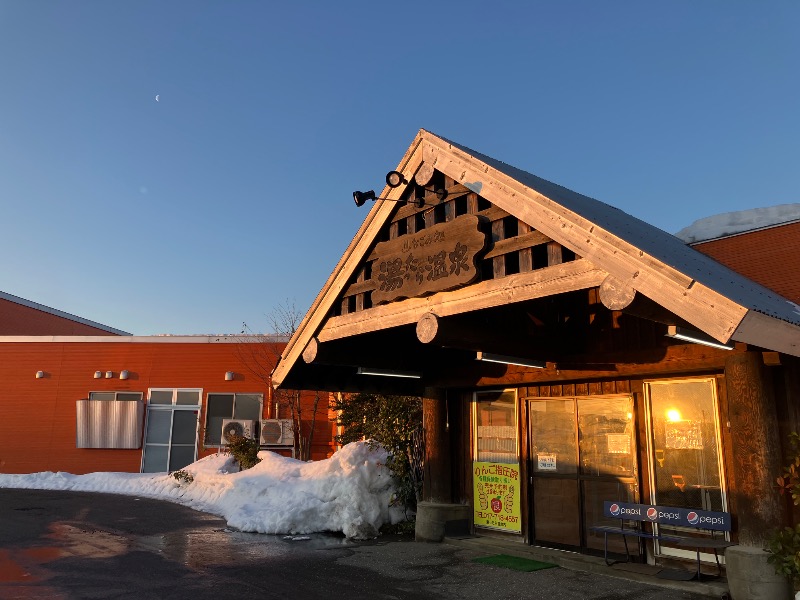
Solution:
(769, 257)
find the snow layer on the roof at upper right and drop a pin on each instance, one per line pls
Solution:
(733, 223)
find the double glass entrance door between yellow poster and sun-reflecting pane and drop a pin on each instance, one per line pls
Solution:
(583, 452)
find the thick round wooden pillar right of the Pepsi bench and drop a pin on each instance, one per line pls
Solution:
(756, 447)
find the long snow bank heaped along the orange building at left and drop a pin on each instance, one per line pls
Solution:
(349, 492)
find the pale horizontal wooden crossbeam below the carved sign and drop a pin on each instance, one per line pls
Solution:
(566, 277)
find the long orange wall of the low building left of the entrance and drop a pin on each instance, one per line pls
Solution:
(37, 416)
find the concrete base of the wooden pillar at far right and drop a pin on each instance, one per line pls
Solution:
(751, 577)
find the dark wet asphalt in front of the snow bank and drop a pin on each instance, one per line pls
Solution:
(66, 545)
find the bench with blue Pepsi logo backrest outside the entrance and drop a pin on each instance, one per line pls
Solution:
(706, 520)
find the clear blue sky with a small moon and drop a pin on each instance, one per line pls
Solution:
(232, 194)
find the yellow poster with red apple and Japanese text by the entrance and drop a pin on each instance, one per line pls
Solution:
(496, 489)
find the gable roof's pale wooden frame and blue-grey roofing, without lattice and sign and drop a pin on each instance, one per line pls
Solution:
(608, 245)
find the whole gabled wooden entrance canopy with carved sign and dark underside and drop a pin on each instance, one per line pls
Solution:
(550, 260)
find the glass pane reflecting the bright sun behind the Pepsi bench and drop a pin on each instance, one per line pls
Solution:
(684, 449)
